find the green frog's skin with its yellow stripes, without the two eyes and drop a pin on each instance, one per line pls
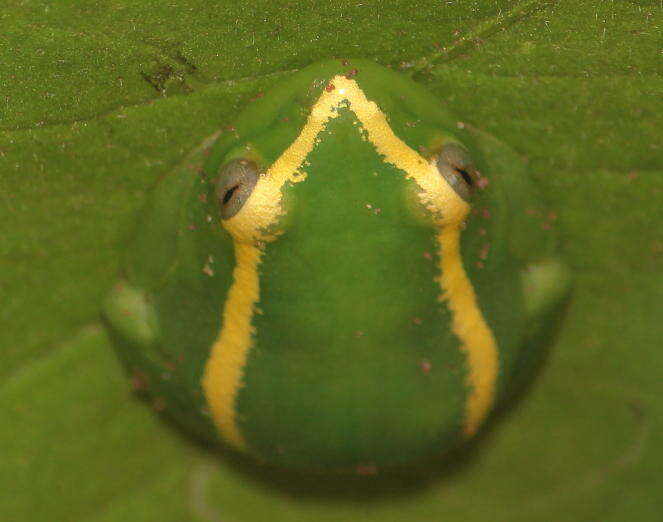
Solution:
(356, 311)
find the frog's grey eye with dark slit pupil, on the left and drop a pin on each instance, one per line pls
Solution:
(235, 183)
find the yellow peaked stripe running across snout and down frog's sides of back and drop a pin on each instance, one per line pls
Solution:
(223, 376)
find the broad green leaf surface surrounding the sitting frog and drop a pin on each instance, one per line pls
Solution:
(99, 99)
